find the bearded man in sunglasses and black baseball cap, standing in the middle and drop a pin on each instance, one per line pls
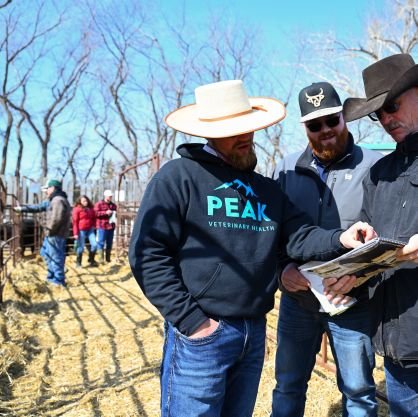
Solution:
(325, 180)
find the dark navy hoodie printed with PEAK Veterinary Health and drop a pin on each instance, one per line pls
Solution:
(206, 239)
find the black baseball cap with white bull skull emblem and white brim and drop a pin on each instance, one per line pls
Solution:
(317, 100)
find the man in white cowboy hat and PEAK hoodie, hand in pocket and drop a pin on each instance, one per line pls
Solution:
(204, 252)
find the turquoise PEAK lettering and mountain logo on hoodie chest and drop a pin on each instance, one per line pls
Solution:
(237, 207)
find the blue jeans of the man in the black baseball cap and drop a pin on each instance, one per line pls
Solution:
(298, 341)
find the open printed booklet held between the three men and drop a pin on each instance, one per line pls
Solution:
(364, 262)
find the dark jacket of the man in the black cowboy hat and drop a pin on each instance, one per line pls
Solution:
(391, 206)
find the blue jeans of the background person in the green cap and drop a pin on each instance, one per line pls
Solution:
(53, 251)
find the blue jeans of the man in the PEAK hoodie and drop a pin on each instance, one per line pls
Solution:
(213, 376)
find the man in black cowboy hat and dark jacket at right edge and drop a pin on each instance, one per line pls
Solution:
(391, 205)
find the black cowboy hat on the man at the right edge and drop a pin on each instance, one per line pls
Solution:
(383, 81)
